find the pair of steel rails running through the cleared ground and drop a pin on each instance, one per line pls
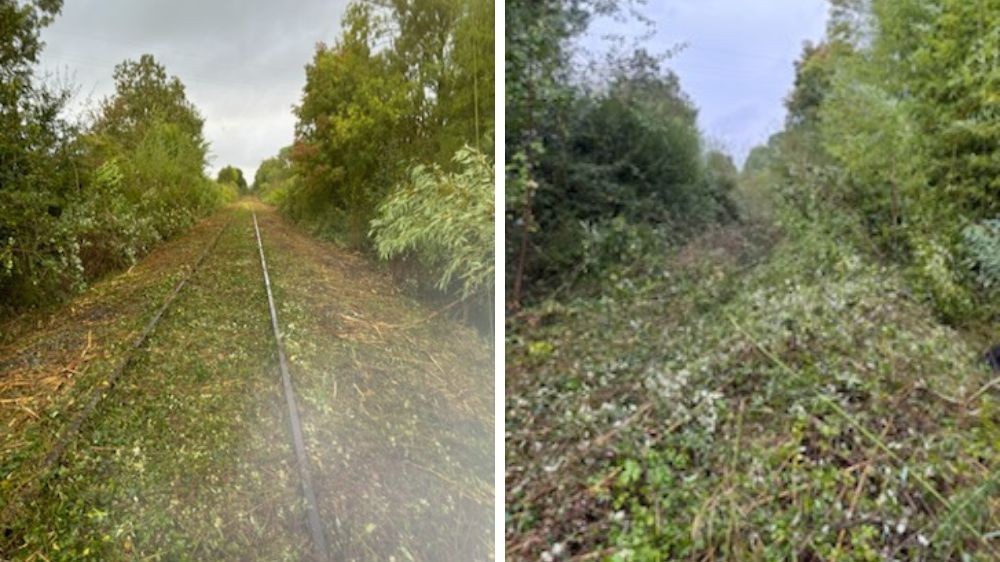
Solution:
(71, 433)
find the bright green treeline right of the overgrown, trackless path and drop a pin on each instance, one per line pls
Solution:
(893, 132)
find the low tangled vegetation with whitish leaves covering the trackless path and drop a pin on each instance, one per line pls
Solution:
(793, 405)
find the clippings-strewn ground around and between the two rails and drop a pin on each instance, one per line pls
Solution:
(189, 456)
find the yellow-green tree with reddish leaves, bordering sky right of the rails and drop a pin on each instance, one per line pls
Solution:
(351, 122)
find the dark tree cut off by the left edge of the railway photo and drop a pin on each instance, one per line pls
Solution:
(37, 179)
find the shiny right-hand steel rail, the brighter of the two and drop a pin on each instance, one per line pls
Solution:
(312, 511)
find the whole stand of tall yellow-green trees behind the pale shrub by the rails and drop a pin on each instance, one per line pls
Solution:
(405, 83)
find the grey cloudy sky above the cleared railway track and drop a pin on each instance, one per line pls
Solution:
(242, 61)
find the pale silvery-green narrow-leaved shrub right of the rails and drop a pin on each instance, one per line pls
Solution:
(446, 219)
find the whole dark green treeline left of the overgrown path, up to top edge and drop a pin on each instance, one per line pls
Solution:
(600, 169)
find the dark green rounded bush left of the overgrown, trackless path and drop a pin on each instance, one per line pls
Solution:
(627, 155)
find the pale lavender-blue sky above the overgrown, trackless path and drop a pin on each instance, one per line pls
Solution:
(738, 64)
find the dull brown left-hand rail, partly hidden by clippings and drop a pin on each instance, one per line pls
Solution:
(71, 432)
